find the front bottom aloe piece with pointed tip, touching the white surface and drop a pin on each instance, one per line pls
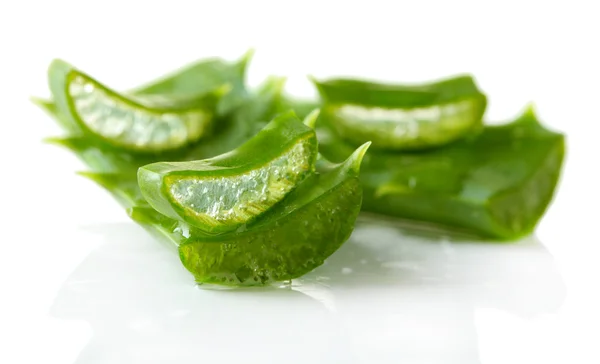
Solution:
(293, 238)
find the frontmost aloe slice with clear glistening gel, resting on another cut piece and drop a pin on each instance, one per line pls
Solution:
(222, 193)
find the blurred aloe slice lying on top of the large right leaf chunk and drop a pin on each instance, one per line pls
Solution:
(397, 117)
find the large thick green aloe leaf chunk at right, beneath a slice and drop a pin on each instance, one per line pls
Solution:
(497, 185)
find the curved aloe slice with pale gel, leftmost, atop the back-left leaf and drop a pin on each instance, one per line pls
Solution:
(148, 124)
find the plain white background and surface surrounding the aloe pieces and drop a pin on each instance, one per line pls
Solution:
(59, 230)
